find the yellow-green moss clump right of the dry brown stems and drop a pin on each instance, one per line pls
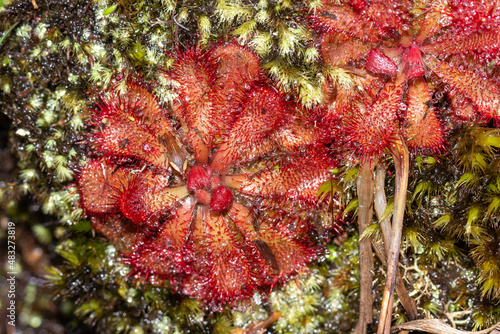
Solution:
(452, 228)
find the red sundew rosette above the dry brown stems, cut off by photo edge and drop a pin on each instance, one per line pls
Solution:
(397, 56)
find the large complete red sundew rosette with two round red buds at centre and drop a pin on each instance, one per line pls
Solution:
(216, 194)
